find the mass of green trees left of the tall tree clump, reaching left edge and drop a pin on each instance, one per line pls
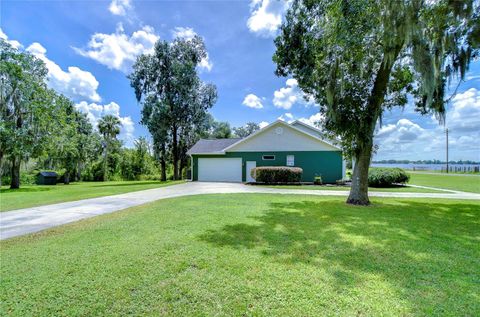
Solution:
(44, 130)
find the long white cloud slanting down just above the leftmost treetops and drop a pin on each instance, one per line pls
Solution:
(74, 83)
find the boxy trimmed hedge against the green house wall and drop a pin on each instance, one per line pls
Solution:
(277, 174)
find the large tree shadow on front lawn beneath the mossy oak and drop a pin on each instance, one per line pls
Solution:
(426, 251)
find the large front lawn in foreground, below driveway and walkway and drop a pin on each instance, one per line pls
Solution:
(252, 255)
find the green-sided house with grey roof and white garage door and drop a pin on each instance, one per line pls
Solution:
(278, 144)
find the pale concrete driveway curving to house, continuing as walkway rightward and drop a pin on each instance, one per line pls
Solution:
(22, 221)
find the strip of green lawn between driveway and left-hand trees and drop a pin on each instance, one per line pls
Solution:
(33, 195)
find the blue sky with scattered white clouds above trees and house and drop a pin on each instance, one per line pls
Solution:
(89, 47)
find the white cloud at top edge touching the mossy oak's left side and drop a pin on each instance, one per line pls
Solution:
(266, 16)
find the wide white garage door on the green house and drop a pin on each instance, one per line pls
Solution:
(220, 169)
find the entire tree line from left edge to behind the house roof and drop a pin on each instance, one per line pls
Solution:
(41, 129)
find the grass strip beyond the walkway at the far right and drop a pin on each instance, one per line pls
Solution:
(467, 183)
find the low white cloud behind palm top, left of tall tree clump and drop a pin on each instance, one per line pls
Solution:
(96, 111)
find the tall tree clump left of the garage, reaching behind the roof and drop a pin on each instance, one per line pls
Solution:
(175, 102)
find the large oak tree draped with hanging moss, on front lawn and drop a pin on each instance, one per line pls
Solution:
(358, 58)
